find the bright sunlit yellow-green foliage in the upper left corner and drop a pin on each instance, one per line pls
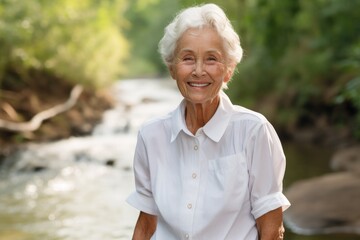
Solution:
(77, 41)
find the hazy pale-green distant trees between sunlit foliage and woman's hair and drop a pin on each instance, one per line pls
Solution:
(147, 20)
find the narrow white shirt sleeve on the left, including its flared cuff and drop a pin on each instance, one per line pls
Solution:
(142, 198)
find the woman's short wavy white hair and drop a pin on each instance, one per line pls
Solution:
(207, 15)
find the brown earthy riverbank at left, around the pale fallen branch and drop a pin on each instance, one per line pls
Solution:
(19, 103)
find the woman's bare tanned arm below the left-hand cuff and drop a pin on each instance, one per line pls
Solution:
(145, 226)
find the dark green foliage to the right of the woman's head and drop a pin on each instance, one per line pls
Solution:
(303, 55)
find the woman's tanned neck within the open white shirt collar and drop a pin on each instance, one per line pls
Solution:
(198, 114)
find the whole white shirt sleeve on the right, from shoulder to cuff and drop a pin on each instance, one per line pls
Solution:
(267, 169)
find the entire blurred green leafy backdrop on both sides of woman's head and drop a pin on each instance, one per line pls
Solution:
(301, 66)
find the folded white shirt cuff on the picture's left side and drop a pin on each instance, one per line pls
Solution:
(142, 203)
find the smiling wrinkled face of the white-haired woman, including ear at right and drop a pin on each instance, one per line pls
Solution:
(200, 66)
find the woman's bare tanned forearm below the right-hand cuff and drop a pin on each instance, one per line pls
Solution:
(270, 225)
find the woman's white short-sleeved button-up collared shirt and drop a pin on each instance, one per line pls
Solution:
(211, 185)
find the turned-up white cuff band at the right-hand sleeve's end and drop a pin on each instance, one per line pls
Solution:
(269, 203)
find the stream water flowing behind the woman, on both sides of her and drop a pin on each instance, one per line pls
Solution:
(75, 189)
